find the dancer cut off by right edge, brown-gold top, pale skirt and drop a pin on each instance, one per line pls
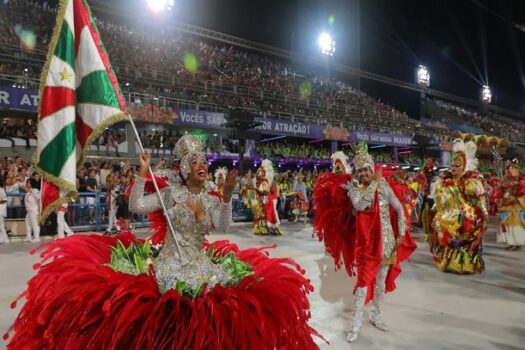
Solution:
(511, 206)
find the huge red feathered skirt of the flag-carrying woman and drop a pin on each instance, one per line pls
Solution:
(76, 301)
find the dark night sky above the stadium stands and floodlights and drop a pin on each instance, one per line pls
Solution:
(464, 43)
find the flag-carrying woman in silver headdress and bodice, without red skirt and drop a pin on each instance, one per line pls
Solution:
(193, 211)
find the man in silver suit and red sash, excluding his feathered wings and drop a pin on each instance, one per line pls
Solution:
(379, 241)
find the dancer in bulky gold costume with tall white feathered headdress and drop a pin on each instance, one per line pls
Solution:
(461, 216)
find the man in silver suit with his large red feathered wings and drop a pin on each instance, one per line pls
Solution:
(373, 242)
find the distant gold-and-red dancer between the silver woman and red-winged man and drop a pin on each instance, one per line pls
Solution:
(265, 217)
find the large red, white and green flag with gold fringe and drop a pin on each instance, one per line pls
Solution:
(79, 99)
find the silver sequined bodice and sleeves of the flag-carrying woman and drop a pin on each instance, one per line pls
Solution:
(195, 268)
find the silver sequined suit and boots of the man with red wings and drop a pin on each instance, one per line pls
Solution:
(362, 199)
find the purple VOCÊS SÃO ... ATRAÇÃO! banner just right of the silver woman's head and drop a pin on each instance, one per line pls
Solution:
(203, 119)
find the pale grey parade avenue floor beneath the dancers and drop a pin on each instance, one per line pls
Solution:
(429, 309)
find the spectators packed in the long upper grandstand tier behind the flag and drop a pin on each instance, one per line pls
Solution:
(259, 83)
